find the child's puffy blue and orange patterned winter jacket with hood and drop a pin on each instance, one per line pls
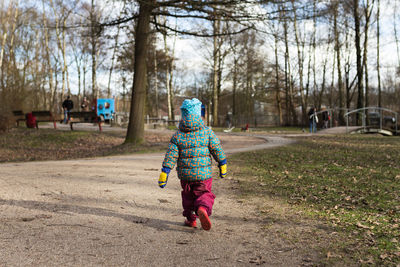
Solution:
(191, 147)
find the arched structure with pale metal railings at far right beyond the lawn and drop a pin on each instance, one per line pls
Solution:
(374, 121)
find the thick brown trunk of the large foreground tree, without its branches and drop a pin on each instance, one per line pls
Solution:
(135, 133)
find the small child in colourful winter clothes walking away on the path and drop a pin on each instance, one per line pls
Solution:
(191, 148)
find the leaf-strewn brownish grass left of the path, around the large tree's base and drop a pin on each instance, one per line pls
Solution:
(22, 144)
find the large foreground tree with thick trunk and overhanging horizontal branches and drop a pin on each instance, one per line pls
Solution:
(198, 10)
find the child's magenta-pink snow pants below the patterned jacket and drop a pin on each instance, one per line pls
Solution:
(194, 195)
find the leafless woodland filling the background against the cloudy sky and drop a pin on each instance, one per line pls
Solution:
(273, 59)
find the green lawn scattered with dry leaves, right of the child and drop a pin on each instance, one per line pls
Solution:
(350, 181)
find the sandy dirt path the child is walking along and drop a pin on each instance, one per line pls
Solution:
(110, 211)
